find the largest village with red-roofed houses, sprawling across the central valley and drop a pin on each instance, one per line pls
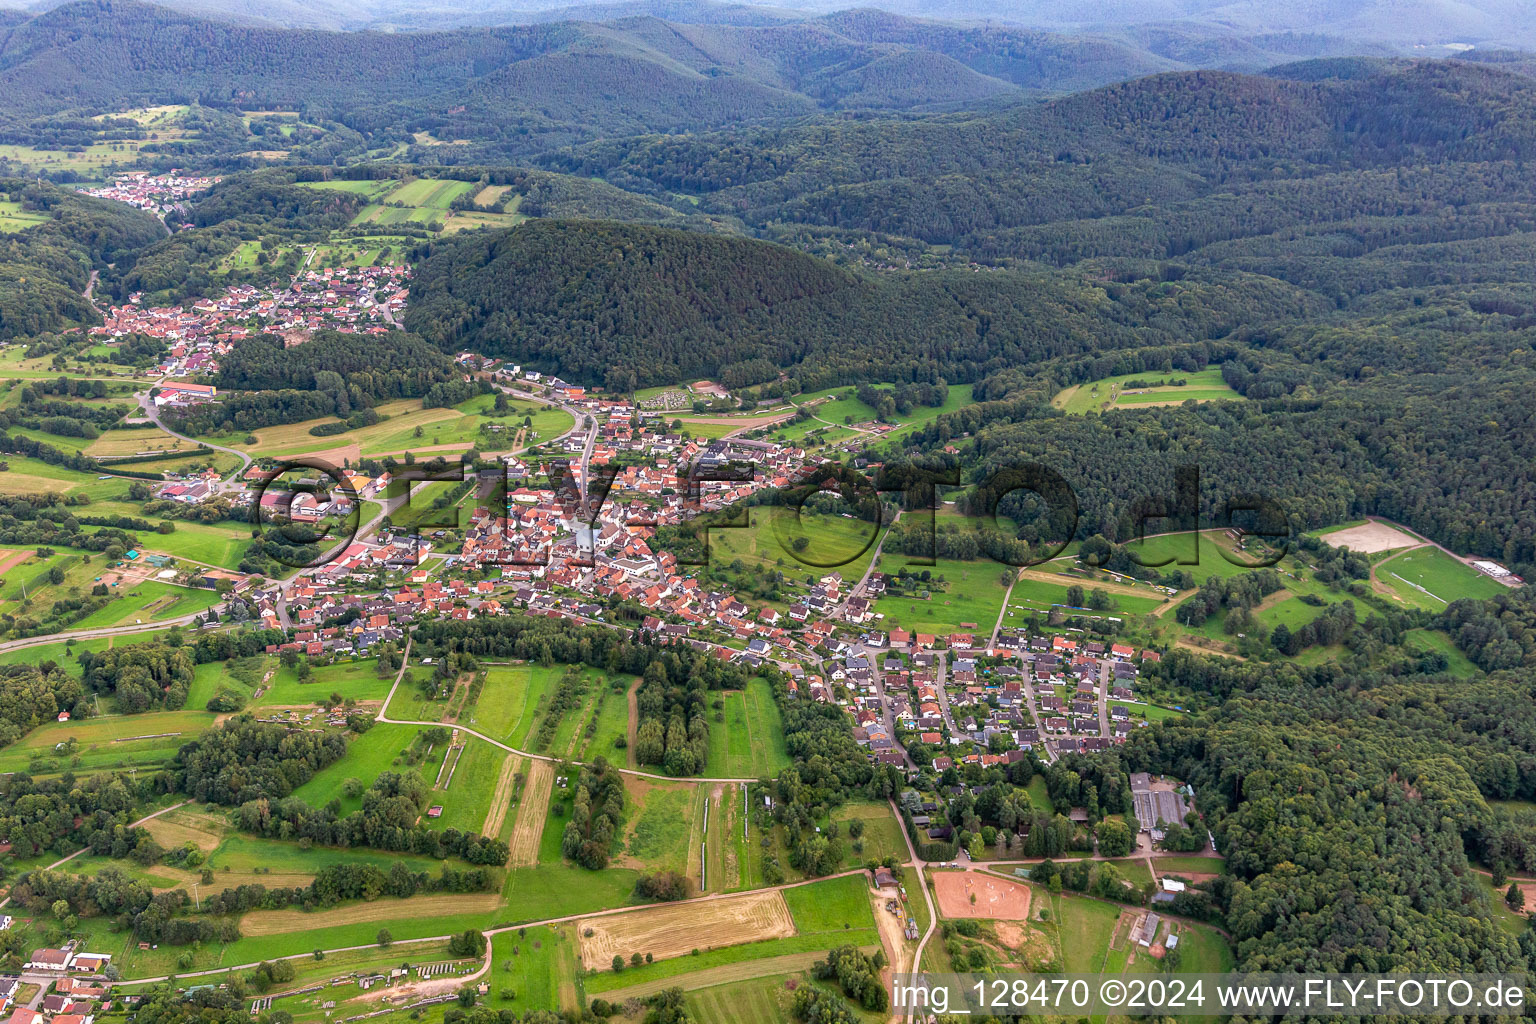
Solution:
(578, 540)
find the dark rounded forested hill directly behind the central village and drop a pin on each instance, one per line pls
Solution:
(580, 299)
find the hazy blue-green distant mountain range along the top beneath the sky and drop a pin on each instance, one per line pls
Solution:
(557, 79)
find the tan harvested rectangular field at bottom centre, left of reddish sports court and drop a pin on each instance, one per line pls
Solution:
(675, 931)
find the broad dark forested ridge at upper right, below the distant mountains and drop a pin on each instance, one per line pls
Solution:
(987, 183)
